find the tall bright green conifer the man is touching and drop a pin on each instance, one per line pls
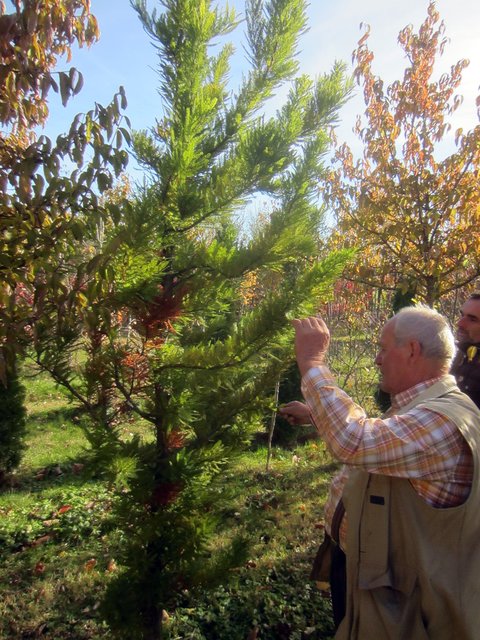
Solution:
(169, 334)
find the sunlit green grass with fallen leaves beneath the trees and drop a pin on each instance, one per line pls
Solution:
(58, 541)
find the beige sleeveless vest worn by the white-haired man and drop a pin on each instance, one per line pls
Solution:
(413, 571)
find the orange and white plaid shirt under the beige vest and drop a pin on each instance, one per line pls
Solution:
(421, 444)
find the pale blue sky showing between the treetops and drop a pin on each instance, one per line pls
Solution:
(125, 56)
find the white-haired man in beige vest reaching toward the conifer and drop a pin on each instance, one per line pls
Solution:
(410, 483)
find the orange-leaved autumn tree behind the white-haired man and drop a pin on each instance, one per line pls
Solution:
(413, 216)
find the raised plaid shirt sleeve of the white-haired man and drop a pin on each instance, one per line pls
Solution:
(417, 444)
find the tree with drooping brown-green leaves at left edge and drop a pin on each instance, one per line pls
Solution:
(45, 213)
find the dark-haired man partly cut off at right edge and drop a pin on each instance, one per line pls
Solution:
(466, 365)
